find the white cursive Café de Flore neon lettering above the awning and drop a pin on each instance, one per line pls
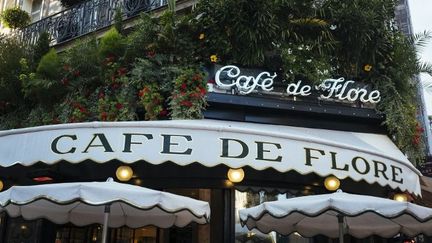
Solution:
(230, 77)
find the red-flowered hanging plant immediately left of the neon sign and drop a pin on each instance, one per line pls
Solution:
(188, 98)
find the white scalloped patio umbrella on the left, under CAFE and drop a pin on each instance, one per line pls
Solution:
(109, 203)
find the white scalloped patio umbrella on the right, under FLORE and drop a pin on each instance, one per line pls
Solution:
(338, 213)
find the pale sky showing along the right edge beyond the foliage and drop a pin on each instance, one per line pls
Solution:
(421, 18)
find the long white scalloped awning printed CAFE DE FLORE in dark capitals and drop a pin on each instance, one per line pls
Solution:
(360, 156)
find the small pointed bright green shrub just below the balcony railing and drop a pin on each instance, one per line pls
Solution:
(112, 44)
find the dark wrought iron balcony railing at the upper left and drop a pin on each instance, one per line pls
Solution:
(85, 18)
